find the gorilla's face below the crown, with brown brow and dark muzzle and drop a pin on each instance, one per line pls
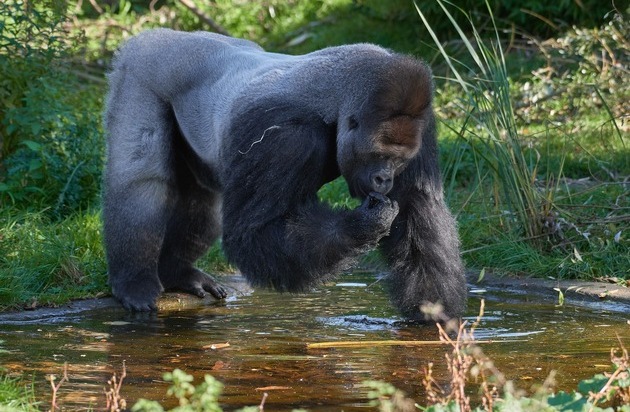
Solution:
(372, 153)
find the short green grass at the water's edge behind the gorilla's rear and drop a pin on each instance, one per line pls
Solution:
(47, 262)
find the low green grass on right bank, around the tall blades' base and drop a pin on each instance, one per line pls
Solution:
(585, 247)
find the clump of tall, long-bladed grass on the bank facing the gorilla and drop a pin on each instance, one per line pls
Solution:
(491, 121)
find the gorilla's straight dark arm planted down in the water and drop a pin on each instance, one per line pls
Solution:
(423, 247)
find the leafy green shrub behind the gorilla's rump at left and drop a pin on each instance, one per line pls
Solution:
(50, 144)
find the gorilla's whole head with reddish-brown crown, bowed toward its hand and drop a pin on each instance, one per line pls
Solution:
(378, 137)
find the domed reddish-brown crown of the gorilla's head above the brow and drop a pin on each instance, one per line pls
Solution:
(405, 88)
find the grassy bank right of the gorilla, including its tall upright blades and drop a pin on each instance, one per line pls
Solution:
(546, 199)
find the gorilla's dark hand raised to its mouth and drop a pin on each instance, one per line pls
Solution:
(373, 219)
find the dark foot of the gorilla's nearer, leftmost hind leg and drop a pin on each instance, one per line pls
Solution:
(138, 295)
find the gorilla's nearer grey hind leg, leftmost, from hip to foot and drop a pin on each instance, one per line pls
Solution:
(139, 190)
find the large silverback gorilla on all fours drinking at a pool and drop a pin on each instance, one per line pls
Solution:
(211, 135)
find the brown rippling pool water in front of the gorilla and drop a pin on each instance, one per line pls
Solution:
(267, 335)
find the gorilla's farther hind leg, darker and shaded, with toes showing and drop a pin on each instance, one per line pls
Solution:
(191, 231)
